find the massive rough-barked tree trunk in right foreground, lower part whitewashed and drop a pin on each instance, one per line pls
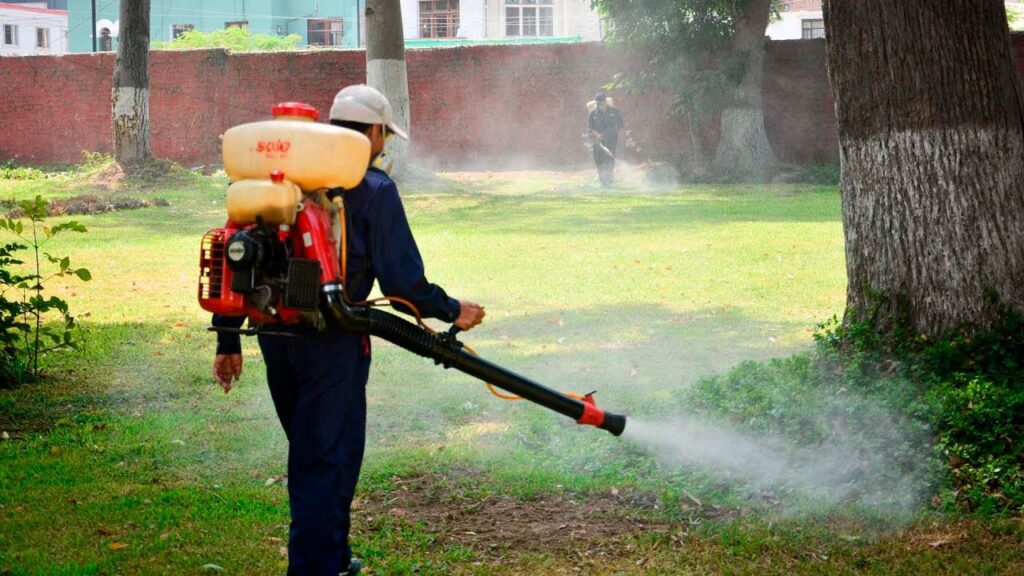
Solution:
(932, 150)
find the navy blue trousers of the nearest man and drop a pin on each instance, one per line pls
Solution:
(319, 388)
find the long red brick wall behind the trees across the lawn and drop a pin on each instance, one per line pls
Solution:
(491, 107)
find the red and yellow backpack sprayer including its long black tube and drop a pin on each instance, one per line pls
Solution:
(280, 260)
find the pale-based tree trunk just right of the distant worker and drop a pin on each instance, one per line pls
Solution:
(744, 144)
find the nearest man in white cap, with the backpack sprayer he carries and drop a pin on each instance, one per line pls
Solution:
(311, 228)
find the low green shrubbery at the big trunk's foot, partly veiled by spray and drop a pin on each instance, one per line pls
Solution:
(948, 416)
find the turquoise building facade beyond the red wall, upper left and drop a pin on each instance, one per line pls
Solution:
(331, 23)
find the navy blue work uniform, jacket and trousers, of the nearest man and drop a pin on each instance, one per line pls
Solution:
(319, 384)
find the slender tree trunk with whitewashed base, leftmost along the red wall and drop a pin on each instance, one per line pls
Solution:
(132, 87)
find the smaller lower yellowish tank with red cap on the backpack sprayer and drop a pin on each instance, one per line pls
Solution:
(276, 199)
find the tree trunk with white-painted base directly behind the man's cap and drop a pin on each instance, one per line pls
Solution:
(387, 67)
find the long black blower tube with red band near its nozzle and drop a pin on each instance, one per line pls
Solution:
(445, 350)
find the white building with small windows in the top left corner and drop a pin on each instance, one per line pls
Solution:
(30, 29)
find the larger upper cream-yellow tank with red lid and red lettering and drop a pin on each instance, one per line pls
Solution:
(312, 155)
